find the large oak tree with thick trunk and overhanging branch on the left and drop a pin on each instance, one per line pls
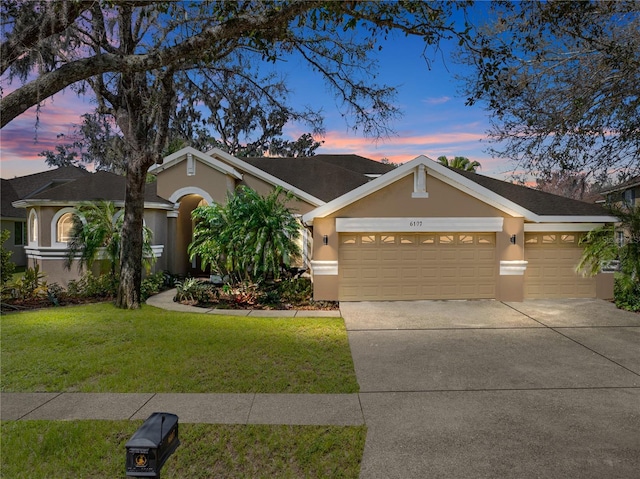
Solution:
(129, 53)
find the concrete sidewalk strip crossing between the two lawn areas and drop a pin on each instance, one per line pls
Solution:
(289, 409)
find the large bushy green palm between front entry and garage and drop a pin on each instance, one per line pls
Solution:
(249, 238)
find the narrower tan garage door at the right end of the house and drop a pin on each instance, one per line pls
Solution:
(551, 271)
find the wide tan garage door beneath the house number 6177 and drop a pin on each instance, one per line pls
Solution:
(397, 266)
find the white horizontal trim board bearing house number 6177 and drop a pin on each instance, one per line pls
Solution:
(409, 224)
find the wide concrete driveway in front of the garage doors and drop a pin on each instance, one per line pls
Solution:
(460, 389)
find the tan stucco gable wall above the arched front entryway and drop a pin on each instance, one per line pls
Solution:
(208, 179)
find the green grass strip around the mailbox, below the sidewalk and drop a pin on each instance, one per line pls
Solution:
(95, 449)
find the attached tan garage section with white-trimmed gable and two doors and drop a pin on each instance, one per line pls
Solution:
(425, 231)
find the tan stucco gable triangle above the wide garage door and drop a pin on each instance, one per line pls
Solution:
(395, 201)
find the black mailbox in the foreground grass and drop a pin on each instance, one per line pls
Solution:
(152, 444)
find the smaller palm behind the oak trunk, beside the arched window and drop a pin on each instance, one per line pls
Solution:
(97, 228)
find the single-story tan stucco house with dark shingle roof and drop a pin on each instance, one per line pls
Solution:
(372, 231)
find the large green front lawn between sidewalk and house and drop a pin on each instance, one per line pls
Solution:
(98, 348)
